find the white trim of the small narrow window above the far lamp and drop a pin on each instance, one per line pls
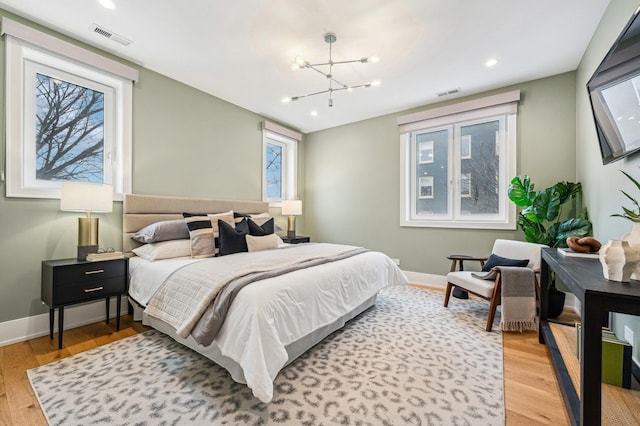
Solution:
(289, 138)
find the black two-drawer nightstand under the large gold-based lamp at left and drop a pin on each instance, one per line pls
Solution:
(70, 281)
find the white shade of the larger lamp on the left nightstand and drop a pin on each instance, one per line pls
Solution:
(86, 197)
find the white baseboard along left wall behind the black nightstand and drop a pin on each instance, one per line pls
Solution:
(22, 329)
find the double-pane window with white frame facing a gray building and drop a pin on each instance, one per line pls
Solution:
(464, 184)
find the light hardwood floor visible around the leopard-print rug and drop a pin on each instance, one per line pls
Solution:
(531, 391)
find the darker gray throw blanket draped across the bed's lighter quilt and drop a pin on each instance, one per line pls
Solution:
(213, 318)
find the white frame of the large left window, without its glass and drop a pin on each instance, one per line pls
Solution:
(28, 51)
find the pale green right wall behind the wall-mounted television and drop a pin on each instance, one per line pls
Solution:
(601, 183)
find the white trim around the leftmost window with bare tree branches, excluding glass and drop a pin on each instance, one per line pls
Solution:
(23, 44)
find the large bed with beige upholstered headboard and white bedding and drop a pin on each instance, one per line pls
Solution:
(311, 291)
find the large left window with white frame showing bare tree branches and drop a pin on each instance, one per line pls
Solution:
(68, 115)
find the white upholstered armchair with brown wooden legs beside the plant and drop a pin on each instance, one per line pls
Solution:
(488, 289)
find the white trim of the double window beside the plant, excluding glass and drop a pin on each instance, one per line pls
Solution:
(503, 104)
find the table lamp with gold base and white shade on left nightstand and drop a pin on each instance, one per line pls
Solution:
(86, 197)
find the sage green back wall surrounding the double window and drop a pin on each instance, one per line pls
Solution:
(353, 178)
